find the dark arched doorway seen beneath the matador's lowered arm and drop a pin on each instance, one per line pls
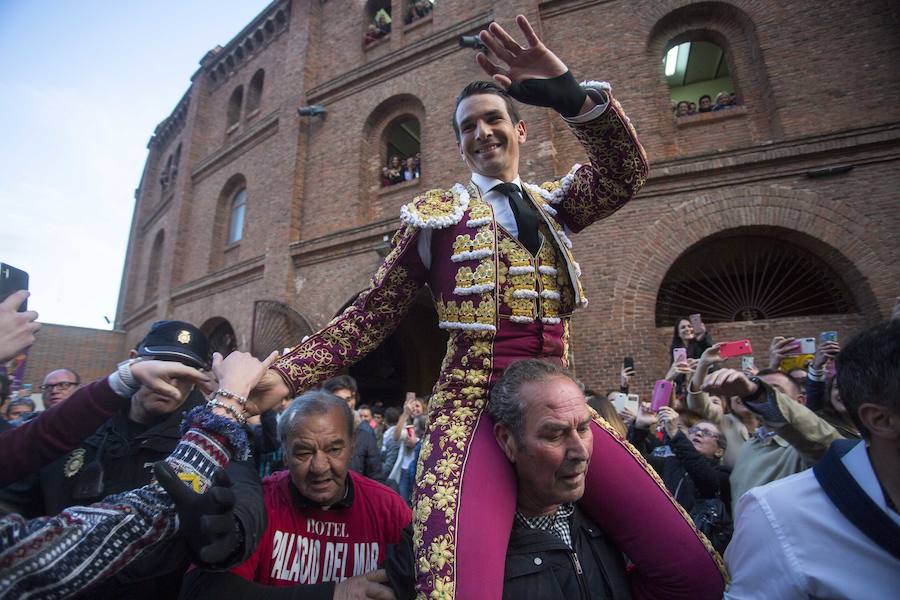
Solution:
(409, 360)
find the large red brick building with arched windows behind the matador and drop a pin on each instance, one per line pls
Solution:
(777, 215)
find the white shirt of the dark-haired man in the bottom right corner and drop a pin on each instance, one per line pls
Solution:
(790, 542)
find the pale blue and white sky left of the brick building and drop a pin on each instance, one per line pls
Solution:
(87, 82)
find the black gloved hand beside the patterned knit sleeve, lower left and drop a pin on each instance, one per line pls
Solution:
(207, 521)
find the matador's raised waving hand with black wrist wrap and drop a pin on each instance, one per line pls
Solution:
(534, 75)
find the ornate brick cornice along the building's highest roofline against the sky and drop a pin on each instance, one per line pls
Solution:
(221, 63)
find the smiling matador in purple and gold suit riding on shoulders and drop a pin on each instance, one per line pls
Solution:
(497, 258)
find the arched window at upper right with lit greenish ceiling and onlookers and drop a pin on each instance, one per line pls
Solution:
(698, 77)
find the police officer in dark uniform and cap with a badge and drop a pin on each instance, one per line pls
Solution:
(120, 455)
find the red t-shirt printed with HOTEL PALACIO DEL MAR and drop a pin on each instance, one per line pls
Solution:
(311, 545)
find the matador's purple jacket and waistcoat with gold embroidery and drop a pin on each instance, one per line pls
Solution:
(497, 301)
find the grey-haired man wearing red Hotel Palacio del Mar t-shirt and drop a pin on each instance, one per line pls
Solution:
(328, 528)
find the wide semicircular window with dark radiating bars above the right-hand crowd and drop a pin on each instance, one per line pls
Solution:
(748, 278)
